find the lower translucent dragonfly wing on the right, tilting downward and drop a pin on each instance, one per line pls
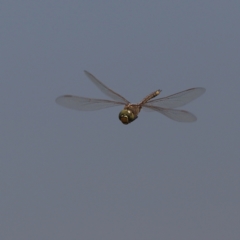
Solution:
(174, 114)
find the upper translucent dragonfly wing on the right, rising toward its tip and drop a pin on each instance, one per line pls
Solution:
(177, 99)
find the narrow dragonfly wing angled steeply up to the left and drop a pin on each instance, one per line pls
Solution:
(107, 91)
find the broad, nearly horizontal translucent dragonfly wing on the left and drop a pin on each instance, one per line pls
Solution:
(85, 104)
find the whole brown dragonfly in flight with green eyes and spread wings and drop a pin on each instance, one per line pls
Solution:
(164, 105)
